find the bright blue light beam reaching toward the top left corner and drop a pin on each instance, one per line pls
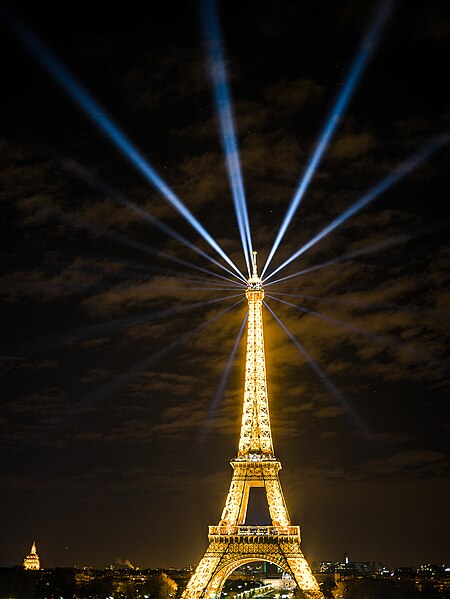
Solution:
(111, 130)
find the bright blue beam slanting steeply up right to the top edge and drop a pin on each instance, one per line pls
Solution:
(334, 118)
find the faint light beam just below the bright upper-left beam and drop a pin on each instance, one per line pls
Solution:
(95, 182)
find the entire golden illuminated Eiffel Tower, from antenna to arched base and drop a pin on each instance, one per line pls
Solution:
(231, 542)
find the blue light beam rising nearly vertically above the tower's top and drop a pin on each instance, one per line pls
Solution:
(224, 108)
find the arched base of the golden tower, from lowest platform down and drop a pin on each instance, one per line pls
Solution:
(230, 548)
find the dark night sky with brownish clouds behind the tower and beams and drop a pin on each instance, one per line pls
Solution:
(112, 447)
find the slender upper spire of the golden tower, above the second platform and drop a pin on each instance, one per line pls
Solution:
(255, 442)
